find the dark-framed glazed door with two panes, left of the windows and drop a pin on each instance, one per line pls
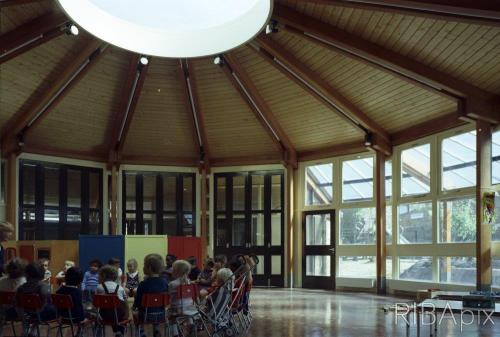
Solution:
(318, 261)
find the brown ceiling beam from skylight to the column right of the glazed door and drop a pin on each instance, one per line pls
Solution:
(326, 93)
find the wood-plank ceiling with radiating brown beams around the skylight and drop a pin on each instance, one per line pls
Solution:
(336, 73)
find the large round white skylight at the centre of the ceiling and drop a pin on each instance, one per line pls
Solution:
(171, 28)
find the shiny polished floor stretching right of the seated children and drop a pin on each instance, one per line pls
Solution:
(313, 313)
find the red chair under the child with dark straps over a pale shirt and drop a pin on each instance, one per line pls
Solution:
(108, 307)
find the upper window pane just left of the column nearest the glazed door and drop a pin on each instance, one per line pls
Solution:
(357, 179)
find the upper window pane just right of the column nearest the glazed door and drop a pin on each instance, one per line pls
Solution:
(415, 170)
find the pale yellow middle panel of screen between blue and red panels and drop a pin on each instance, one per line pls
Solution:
(138, 246)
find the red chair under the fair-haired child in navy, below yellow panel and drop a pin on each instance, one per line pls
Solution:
(154, 310)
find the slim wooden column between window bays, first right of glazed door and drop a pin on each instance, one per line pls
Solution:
(380, 212)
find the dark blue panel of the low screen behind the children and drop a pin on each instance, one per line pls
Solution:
(102, 247)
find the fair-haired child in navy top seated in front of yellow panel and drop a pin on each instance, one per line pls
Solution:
(152, 284)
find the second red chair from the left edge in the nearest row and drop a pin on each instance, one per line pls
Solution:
(32, 307)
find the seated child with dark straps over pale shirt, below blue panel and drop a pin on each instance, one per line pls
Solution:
(108, 286)
